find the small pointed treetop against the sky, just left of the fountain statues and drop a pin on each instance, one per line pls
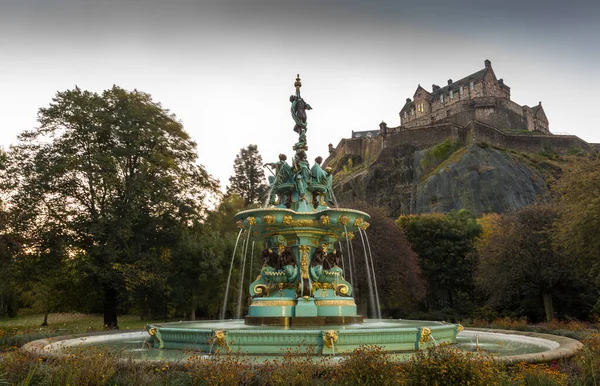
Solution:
(248, 180)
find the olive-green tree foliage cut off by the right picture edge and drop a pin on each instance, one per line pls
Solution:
(578, 205)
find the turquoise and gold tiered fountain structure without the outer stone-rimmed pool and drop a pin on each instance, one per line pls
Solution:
(301, 298)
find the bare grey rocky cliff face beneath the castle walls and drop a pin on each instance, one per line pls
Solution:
(448, 176)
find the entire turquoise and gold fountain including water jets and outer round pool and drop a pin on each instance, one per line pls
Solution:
(301, 300)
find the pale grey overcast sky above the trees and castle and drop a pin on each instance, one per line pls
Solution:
(226, 68)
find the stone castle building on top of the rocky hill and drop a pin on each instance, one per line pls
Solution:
(477, 97)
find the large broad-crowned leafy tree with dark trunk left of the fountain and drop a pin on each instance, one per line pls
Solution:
(117, 175)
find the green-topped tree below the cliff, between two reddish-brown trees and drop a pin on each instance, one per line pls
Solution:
(445, 245)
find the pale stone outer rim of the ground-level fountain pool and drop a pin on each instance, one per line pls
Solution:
(568, 347)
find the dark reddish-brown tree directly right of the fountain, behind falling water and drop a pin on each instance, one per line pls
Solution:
(399, 281)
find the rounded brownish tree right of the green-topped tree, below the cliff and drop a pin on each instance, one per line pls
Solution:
(520, 268)
